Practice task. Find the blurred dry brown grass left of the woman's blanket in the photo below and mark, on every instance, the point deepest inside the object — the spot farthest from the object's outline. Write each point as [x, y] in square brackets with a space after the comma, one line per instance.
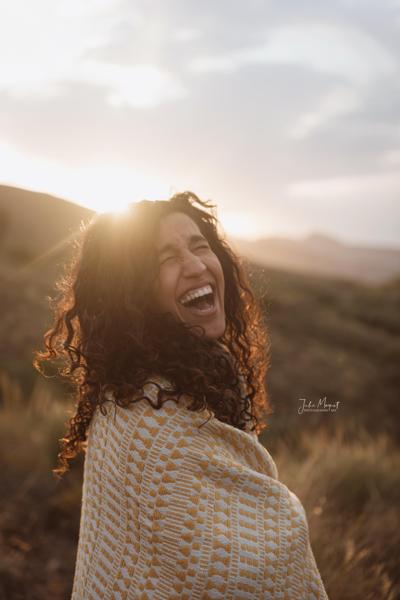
[39, 516]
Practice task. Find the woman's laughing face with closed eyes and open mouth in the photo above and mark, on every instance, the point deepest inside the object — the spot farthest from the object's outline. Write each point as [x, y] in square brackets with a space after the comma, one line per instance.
[187, 269]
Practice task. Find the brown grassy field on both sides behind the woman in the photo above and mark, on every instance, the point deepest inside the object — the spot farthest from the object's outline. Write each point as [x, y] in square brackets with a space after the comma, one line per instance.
[330, 338]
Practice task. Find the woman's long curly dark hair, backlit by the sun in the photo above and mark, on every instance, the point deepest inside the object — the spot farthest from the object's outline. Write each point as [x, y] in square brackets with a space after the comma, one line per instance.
[111, 337]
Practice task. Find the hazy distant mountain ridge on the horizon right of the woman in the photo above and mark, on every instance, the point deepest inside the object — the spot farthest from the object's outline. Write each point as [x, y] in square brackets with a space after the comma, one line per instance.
[323, 255]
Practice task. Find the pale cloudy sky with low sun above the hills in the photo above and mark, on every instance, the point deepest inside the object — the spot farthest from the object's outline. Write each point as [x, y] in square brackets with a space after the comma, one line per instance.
[284, 114]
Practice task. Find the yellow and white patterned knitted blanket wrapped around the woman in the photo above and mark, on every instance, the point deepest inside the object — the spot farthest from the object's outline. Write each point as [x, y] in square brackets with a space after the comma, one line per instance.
[171, 511]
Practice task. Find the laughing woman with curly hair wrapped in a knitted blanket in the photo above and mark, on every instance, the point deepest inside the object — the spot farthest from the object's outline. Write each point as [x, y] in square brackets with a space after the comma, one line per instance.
[168, 354]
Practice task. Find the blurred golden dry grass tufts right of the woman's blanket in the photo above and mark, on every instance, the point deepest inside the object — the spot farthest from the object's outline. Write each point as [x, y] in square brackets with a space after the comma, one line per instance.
[351, 493]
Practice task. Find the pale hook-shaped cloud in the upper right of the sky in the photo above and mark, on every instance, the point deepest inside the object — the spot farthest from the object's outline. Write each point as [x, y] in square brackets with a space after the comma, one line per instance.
[352, 58]
